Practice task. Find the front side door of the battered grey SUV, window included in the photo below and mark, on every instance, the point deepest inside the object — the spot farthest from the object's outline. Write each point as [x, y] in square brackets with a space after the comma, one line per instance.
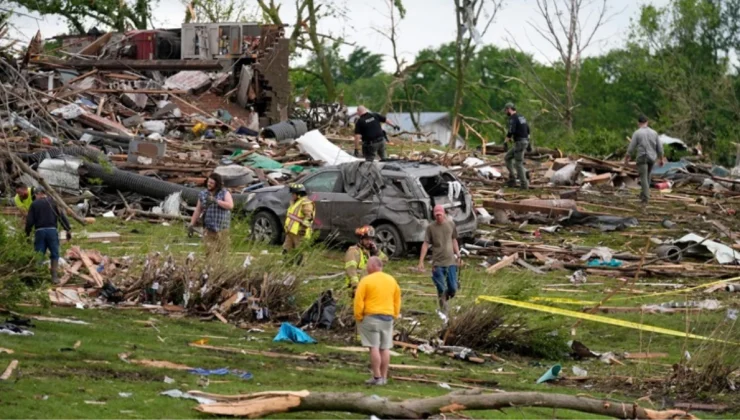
[322, 190]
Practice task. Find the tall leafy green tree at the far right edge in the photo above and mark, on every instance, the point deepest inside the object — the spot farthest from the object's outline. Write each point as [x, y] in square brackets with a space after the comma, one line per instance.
[690, 44]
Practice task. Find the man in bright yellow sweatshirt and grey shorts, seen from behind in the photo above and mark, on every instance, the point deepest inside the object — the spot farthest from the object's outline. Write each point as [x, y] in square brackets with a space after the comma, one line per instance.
[377, 304]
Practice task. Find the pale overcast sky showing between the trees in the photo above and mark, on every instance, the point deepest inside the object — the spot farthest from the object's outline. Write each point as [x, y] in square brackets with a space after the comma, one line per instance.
[428, 23]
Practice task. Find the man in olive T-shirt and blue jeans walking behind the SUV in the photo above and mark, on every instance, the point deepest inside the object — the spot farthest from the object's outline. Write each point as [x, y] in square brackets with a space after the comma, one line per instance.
[441, 235]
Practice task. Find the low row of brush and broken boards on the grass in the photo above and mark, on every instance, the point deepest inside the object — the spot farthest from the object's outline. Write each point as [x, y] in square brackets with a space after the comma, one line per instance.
[174, 284]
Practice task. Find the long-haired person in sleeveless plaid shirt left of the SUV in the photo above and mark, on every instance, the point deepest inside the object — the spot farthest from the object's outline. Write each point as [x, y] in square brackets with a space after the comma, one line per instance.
[214, 204]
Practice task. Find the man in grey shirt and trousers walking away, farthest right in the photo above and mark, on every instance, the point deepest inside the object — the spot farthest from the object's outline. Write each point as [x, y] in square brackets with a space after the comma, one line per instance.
[647, 145]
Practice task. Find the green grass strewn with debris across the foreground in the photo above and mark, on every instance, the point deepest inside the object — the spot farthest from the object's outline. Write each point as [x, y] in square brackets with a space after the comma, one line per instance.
[55, 379]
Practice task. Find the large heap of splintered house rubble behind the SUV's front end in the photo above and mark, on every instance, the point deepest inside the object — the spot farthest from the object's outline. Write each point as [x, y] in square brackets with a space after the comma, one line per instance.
[112, 137]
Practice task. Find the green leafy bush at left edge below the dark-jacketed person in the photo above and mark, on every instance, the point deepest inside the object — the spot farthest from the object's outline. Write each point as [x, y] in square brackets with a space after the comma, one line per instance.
[20, 273]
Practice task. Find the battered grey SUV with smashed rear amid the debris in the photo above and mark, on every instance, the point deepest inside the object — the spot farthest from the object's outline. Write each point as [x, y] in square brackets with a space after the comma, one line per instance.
[396, 197]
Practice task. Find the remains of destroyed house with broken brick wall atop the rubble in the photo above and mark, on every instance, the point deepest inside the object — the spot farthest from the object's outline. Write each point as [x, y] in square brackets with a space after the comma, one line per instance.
[247, 62]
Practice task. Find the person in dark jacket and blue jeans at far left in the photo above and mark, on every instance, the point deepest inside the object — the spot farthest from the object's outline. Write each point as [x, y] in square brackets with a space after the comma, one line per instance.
[44, 216]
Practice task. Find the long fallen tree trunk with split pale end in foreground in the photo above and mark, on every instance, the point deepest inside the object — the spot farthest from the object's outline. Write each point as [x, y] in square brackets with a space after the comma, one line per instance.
[260, 405]
